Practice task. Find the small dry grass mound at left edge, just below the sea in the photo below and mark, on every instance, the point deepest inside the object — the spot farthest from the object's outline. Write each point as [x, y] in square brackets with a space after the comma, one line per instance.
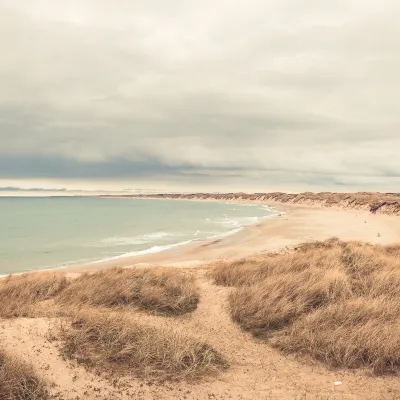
[20, 294]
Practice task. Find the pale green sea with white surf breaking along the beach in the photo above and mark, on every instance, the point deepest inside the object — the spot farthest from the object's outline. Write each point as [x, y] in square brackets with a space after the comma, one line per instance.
[40, 233]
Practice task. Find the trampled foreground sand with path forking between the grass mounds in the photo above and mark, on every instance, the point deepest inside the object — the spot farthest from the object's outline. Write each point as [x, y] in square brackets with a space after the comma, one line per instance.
[256, 371]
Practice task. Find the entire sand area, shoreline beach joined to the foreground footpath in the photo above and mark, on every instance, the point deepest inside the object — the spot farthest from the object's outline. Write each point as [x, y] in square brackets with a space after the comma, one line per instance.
[256, 370]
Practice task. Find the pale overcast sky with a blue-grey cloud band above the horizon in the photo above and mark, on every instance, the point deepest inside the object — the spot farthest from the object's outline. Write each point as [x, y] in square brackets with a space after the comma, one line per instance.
[238, 95]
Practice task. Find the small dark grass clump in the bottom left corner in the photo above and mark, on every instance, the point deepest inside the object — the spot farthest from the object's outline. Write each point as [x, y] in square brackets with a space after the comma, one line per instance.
[19, 381]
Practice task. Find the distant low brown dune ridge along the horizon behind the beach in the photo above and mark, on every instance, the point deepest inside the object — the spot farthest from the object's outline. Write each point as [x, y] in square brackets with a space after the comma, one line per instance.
[382, 203]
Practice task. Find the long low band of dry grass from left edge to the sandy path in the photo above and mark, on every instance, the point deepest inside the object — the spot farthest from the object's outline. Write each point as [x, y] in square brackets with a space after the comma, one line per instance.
[159, 290]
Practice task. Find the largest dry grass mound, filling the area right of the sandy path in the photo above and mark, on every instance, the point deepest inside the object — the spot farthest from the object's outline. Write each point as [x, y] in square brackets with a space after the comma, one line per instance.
[334, 301]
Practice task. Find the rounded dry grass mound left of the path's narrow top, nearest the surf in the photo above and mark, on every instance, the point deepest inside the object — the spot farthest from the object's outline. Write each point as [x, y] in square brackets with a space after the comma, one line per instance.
[161, 290]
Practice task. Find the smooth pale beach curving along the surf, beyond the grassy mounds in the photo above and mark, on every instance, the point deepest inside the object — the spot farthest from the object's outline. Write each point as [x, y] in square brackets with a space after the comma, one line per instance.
[297, 224]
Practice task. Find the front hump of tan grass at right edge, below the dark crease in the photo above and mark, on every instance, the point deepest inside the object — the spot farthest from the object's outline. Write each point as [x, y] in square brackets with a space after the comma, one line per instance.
[351, 334]
